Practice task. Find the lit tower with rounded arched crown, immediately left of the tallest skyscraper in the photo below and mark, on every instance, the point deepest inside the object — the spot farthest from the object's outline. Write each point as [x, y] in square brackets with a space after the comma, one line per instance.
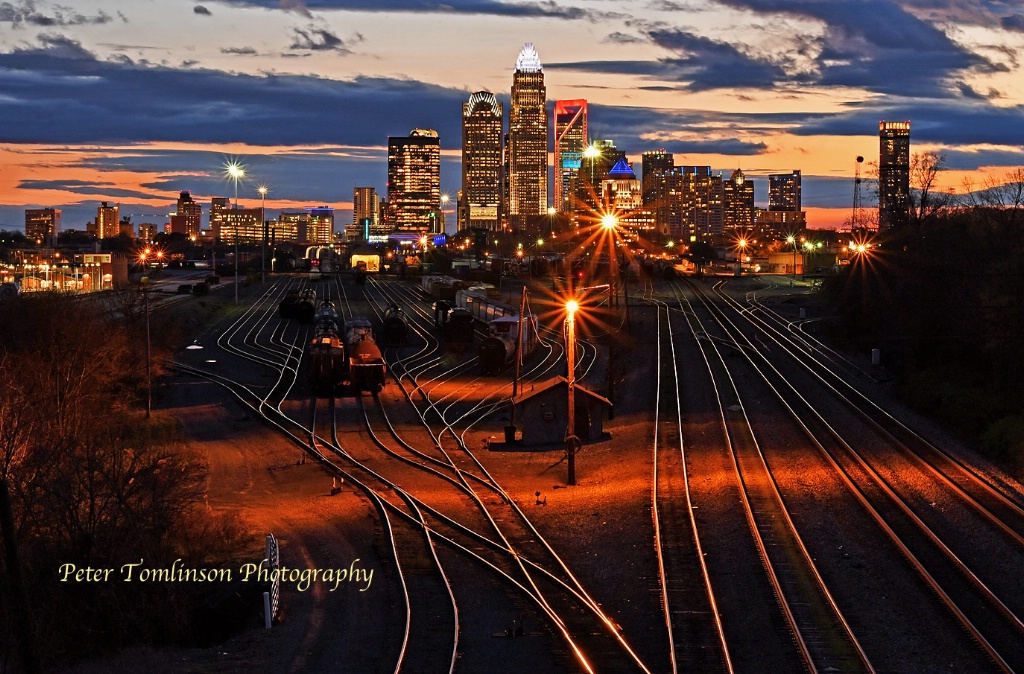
[481, 203]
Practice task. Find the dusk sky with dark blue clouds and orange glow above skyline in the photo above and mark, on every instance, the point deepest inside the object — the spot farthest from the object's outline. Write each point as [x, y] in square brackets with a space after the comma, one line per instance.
[135, 101]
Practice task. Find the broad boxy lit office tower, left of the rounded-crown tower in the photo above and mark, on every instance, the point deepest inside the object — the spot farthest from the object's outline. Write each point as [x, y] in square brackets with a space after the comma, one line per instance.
[414, 183]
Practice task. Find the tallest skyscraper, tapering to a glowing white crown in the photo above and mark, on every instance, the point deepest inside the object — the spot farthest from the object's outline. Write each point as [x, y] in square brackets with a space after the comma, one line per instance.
[528, 145]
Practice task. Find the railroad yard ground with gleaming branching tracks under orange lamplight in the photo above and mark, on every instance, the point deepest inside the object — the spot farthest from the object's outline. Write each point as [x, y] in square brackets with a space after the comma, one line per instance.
[757, 502]
